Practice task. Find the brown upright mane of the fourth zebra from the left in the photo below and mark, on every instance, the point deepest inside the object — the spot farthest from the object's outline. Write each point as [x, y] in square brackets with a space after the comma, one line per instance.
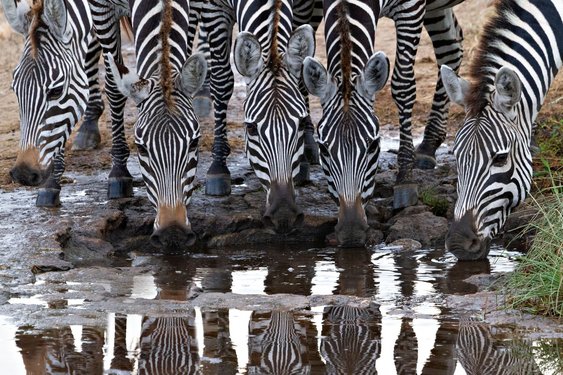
[345, 51]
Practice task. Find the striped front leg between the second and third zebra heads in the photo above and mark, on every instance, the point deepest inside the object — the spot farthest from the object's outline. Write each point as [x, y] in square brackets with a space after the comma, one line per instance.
[219, 24]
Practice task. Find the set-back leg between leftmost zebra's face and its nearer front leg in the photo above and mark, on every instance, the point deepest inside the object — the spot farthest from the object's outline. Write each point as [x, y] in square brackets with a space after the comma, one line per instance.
[88, 135]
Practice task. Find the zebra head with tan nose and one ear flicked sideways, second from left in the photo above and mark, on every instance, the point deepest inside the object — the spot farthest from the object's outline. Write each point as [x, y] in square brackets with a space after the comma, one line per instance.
[167, 134]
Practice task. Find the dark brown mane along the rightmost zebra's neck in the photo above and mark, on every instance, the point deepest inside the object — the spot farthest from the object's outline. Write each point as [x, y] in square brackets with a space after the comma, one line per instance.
[480, 69]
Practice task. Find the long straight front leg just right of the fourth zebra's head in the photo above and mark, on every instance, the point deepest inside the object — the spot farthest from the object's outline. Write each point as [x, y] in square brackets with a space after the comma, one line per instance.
[408, 23]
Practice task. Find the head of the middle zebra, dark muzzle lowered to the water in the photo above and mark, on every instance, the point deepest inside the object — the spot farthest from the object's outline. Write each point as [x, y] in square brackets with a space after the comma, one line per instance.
[274, 110]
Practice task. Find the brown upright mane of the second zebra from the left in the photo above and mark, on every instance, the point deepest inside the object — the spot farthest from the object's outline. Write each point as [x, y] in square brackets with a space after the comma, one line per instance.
[166, 82]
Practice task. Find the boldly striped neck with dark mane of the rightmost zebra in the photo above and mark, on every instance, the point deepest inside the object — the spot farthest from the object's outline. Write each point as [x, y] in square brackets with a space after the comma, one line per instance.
[527, 37]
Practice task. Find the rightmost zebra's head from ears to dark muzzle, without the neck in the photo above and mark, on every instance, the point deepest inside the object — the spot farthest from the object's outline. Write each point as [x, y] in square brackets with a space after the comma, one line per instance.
[494, 163]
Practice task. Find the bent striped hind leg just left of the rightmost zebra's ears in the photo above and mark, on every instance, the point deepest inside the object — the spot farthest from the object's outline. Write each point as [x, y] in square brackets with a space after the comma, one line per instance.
[446, 35]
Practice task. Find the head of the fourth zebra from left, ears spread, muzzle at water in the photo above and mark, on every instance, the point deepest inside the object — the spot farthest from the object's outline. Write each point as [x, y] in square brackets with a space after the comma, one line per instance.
[349, 140]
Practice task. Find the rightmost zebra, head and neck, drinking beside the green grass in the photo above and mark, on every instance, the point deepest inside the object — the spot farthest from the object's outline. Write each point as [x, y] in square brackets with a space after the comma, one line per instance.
[519, 54]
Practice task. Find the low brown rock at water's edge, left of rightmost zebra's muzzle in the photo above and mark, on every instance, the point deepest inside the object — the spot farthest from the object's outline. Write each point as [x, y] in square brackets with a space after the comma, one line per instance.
[424, 227]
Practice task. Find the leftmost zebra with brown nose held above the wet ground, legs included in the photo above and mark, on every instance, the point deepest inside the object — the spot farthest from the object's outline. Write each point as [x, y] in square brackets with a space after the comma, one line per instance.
[56, 82]
